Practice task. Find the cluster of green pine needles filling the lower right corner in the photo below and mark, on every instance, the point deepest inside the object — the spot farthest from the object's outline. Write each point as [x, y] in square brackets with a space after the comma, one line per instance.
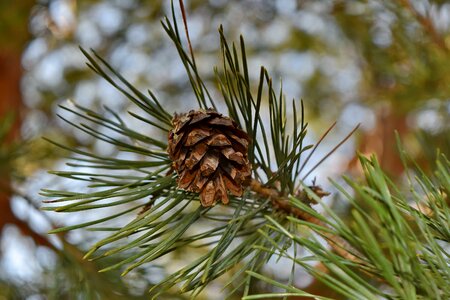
[402, 247]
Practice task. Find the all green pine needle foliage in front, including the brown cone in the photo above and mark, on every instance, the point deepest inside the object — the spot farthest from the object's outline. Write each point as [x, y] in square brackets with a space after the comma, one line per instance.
[257, 167]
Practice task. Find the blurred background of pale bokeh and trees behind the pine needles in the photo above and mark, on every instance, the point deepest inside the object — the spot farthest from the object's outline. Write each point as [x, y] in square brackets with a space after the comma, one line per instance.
[384, 64]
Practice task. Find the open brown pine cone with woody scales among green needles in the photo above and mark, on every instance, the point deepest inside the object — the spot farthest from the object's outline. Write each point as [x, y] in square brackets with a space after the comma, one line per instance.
[209, 153]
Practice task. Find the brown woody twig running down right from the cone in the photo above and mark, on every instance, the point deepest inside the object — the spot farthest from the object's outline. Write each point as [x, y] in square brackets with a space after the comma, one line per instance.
[339, 245]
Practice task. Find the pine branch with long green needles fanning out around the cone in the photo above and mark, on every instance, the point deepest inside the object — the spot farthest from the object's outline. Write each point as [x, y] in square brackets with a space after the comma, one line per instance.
[167, 218]
